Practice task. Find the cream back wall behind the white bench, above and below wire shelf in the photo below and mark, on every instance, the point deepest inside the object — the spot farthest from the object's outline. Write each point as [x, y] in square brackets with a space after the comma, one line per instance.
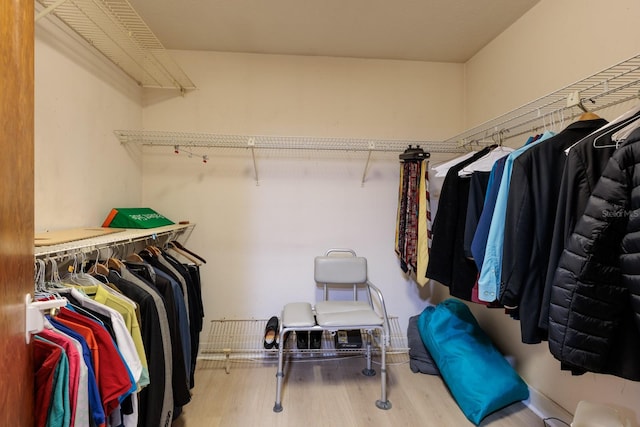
[260, 240]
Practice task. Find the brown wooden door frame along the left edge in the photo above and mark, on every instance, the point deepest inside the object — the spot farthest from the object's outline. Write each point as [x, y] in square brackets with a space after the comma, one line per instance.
[16, 208]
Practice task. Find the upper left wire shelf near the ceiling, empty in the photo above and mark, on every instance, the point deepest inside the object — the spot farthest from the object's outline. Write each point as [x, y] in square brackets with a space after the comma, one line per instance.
[116, 30]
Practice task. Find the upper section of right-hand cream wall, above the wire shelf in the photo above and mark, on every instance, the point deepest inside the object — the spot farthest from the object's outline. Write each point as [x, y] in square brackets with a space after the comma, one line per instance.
[553, 45]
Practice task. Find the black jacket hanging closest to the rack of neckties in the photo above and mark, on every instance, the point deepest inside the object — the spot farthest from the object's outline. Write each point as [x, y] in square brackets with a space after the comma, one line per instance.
[447, 261]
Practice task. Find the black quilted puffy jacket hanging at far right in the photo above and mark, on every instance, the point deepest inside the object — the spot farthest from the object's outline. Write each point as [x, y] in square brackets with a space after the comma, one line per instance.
[594, 314]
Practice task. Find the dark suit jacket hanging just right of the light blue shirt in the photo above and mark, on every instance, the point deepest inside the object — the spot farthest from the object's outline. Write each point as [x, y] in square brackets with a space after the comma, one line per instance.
[528, 226]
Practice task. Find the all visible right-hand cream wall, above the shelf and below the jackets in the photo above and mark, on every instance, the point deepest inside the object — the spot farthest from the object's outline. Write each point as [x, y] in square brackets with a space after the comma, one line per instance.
[555, 44]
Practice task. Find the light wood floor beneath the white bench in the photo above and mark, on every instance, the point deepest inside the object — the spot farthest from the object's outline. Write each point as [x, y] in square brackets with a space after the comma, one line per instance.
[328, 393]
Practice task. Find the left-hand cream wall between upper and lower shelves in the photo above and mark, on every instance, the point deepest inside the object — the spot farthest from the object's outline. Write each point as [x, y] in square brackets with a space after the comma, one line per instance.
[81, 170]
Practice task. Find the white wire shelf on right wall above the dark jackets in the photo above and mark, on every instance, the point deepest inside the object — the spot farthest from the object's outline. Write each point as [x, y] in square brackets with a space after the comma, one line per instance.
[609, 87]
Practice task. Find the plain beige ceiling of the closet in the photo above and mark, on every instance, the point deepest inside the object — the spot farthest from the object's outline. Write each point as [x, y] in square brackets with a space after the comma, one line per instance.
[424, 30]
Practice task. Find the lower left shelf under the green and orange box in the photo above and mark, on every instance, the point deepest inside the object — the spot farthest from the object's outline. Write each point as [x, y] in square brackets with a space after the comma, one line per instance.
[127, 236]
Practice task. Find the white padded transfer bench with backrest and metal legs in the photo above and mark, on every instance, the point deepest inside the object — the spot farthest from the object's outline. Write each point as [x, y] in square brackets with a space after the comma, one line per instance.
[336, 269]
